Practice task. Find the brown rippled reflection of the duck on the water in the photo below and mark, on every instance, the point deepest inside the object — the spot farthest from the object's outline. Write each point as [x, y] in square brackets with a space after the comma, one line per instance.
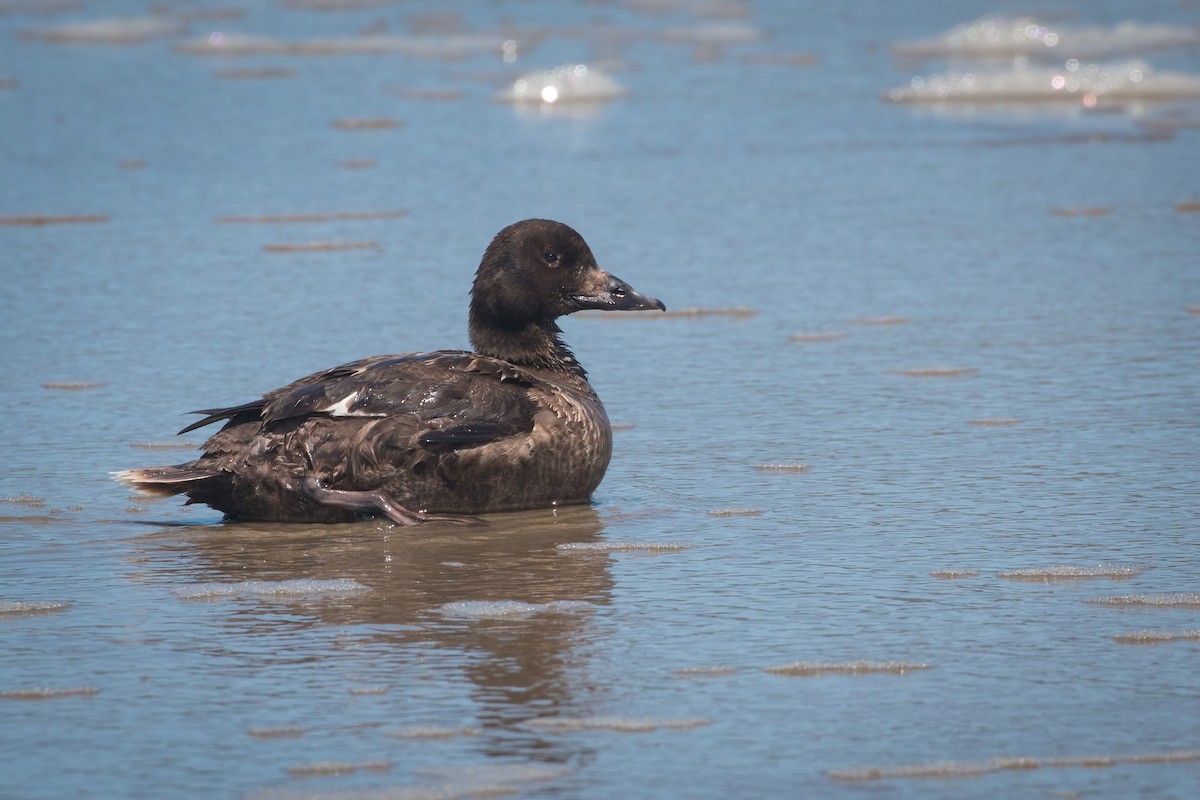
[518, 669]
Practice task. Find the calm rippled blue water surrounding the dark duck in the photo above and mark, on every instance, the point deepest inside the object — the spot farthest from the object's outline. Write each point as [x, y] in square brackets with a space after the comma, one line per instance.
[1036, 252]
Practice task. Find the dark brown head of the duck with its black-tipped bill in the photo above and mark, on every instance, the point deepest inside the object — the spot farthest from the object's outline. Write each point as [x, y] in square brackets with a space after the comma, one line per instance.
[538, 270]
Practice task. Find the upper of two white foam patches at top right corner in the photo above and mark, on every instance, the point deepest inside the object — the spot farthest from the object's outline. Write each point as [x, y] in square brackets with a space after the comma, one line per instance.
[991, 38]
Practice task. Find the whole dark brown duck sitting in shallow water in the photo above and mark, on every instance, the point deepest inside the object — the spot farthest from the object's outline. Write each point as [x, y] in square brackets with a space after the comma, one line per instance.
[423, 437]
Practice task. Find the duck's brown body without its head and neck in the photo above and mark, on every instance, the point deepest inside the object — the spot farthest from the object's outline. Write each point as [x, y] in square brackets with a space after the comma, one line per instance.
[439, 432]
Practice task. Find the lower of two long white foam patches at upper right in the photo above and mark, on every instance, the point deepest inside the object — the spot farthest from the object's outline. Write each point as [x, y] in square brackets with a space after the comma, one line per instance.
[1075, 82]
